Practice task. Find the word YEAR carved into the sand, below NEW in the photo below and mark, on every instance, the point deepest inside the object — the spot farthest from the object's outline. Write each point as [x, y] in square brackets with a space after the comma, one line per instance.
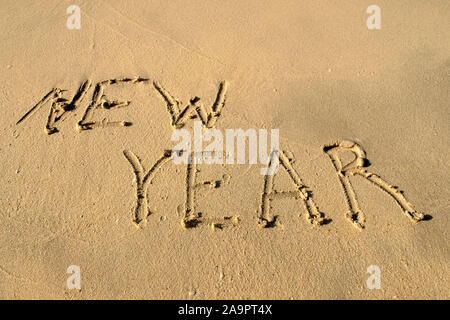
[192, 218]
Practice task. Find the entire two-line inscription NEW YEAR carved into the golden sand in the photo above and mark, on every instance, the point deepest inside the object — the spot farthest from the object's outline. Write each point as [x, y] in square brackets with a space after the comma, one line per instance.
[179, 115]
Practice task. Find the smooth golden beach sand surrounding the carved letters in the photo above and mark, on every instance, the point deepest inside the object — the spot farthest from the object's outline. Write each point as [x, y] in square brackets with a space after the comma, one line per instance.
[311, 69]
